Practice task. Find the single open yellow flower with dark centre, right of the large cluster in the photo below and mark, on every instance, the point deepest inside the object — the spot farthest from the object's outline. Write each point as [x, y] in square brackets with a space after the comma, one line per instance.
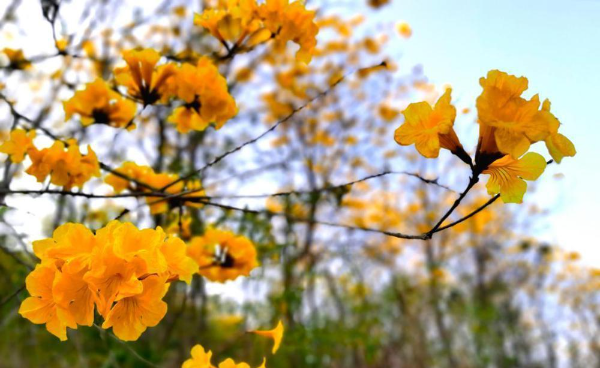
[222, 256]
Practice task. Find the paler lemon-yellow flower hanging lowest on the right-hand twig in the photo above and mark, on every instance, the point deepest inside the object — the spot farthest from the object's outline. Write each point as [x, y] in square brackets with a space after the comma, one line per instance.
[507, 176]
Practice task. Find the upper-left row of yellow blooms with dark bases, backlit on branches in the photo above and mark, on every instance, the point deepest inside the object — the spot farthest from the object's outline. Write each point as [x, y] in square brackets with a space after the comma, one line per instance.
[201, 88]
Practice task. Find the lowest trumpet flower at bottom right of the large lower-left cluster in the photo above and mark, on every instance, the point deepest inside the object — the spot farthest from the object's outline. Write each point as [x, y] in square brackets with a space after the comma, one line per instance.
[130, 316]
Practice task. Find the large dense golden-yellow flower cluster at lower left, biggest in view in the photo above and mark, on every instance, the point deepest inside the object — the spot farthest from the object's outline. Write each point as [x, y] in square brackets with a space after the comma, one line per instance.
[121, 271]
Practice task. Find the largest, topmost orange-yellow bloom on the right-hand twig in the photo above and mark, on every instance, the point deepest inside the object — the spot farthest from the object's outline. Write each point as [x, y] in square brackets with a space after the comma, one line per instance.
[509, 123]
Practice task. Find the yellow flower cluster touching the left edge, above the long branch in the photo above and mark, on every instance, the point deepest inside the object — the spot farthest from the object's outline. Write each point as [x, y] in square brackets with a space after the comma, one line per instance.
[66, 166]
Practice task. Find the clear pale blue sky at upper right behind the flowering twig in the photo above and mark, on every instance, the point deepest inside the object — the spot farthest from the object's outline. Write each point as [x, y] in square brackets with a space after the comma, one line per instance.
[556, 45]
